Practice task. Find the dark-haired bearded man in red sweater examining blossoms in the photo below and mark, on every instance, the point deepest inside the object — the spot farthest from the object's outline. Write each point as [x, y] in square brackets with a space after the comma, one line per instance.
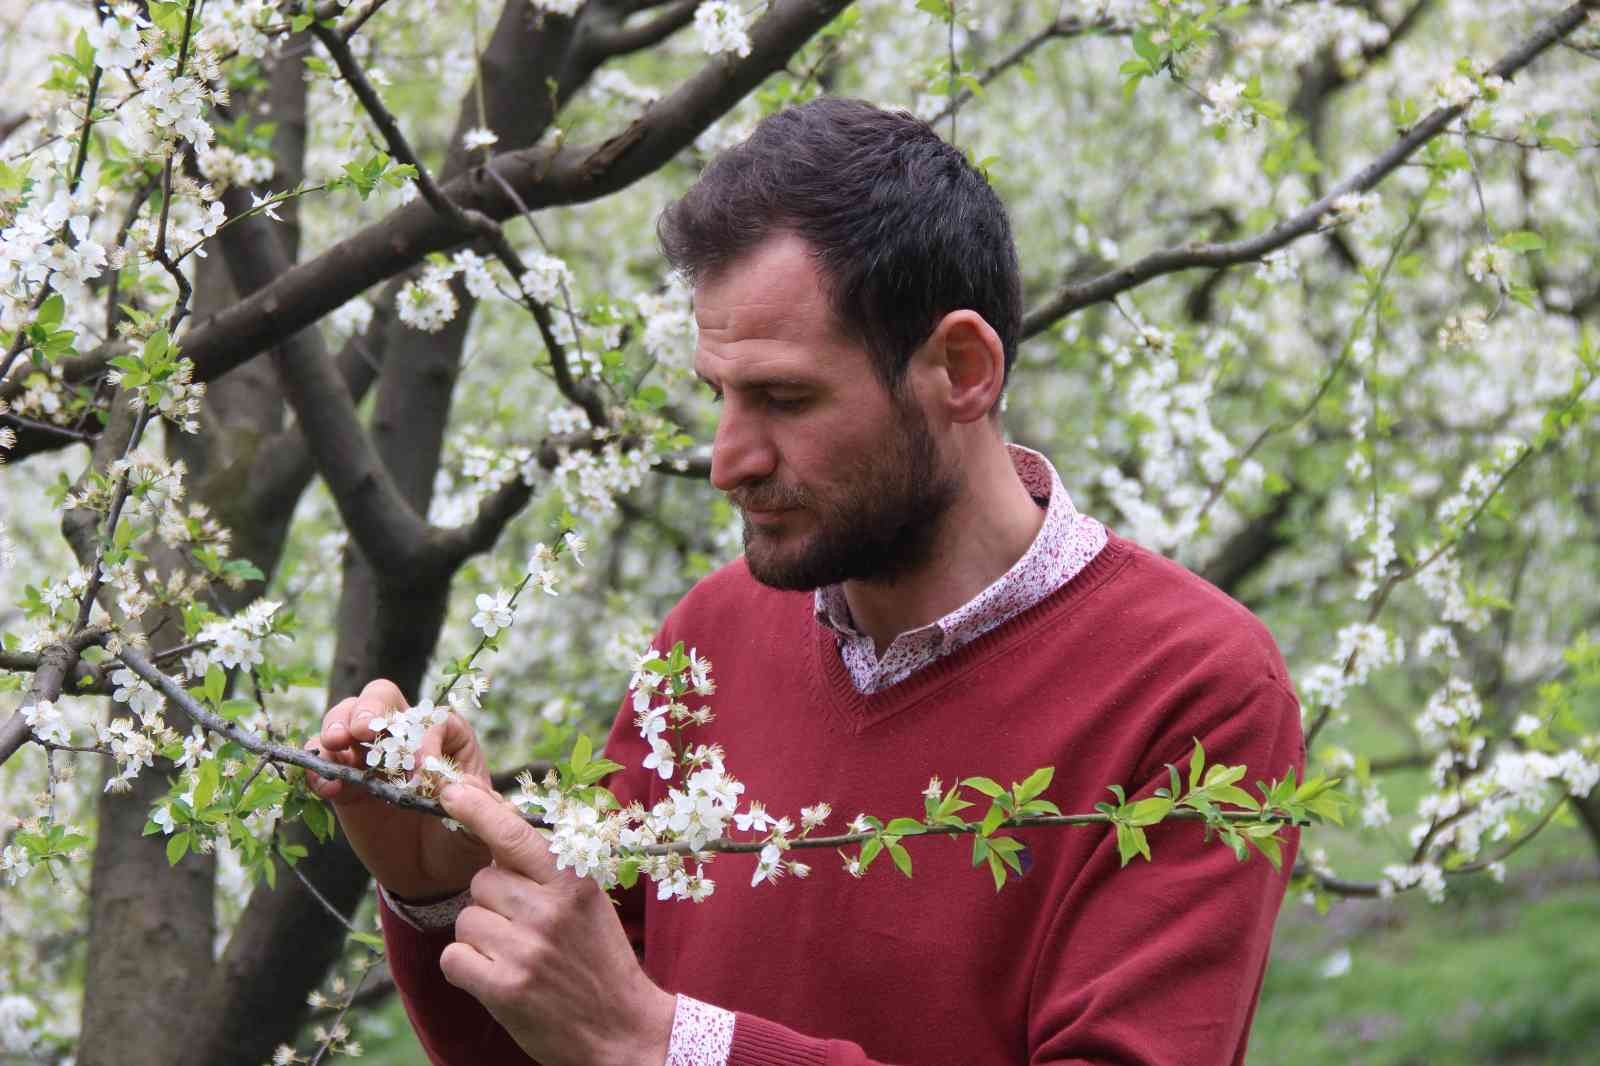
[916, 599]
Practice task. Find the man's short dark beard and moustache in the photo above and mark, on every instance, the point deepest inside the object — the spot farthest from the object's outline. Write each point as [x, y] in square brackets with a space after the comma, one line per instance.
[878, 527]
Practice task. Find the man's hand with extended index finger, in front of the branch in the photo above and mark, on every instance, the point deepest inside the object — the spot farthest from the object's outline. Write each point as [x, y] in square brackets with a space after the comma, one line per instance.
[545, 953]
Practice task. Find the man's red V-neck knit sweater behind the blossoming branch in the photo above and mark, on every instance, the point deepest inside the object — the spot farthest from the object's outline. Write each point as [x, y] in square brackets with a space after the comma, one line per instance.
[1108, 679]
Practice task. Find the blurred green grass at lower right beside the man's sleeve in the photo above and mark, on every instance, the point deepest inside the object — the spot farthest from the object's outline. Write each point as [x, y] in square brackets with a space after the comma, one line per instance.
[1492, 976]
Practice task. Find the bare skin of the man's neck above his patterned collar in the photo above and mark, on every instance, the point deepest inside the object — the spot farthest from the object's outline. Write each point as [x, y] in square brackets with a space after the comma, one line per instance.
[986, 531]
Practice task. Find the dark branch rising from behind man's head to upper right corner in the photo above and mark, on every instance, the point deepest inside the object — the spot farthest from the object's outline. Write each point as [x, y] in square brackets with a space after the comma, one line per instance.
[1079, 295]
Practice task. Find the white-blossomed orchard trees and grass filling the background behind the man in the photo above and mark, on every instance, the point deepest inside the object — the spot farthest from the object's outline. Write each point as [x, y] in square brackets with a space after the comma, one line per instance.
[1311, 308]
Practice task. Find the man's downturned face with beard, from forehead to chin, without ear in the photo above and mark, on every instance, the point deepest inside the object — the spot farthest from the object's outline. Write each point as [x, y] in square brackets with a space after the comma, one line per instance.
[838, 478]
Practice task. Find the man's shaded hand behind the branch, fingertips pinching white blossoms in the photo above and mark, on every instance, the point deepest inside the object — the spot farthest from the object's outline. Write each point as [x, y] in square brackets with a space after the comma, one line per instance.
[412, 856]
